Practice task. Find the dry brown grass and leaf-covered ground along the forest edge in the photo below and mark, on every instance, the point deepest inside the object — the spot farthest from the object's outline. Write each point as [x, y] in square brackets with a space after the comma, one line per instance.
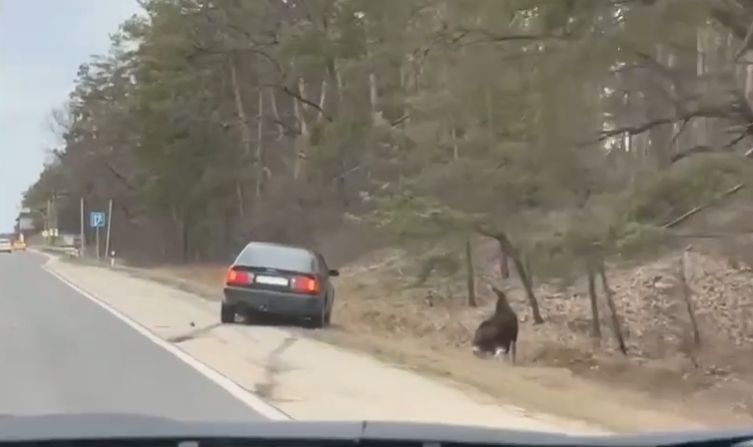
[665, 382]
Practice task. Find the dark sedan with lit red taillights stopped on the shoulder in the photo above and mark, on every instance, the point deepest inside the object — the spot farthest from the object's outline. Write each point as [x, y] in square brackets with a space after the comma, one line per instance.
[281, 280]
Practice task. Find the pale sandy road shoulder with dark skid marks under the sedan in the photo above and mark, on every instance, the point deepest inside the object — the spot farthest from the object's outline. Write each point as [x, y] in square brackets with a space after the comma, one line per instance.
[286, 367]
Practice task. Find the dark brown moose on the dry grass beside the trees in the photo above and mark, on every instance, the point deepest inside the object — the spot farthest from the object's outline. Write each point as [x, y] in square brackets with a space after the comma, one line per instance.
[499, 333]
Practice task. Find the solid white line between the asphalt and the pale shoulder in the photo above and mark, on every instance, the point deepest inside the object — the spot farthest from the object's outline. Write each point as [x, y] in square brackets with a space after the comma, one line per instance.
[237, 391]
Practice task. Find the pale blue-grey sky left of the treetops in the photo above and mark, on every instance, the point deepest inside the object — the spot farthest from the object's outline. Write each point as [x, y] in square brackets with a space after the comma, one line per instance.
[42, 43]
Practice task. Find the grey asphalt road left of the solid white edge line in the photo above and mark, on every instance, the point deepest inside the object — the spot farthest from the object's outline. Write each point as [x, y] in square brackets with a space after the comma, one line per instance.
[62, 353]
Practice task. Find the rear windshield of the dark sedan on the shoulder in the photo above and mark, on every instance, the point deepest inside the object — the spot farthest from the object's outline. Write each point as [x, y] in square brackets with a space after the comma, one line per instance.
[277, 257]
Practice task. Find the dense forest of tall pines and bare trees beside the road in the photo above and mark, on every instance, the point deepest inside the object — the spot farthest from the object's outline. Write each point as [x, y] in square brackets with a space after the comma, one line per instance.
[570, 132]
